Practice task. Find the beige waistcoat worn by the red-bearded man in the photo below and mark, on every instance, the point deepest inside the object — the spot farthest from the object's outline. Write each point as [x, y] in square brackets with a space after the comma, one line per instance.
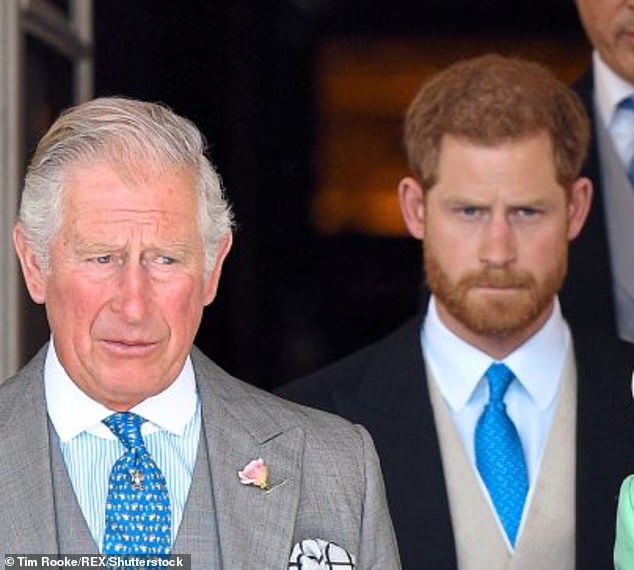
[547, 539]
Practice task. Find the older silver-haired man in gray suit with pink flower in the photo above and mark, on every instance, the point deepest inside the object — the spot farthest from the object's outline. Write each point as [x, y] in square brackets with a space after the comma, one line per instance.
[120, 437]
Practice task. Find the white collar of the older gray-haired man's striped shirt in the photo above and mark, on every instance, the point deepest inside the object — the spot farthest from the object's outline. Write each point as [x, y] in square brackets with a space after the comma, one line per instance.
[73, 412]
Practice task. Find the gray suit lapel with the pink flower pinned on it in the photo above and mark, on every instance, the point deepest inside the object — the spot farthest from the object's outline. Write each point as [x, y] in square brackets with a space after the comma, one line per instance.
[255, 528]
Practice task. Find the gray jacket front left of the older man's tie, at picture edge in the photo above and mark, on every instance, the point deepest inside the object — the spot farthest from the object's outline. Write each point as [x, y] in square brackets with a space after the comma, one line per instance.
[26, 501]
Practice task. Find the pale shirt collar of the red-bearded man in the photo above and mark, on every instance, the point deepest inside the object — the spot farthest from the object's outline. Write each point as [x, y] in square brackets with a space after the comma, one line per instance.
[537, 363]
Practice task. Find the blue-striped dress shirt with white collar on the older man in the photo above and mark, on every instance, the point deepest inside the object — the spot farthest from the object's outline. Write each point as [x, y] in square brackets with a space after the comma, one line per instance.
[90, 449]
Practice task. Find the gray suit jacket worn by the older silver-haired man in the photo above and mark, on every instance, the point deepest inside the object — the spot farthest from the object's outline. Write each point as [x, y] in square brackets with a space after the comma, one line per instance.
[331, 485]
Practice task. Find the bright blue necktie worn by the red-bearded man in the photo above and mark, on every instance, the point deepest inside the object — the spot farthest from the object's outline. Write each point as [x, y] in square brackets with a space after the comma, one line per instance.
[499, 454]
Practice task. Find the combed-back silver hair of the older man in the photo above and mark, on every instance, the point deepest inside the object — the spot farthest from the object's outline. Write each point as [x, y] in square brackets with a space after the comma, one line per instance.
[121, 132]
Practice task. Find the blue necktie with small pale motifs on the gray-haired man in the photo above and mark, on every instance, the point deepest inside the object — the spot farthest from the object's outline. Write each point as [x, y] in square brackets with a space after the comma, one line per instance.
[138, 513]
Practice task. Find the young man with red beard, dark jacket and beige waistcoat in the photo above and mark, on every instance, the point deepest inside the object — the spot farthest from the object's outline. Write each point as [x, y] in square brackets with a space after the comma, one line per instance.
[503, 435]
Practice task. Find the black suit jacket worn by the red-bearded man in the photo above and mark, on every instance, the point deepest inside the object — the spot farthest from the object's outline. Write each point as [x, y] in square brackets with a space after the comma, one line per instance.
[384, 388]
